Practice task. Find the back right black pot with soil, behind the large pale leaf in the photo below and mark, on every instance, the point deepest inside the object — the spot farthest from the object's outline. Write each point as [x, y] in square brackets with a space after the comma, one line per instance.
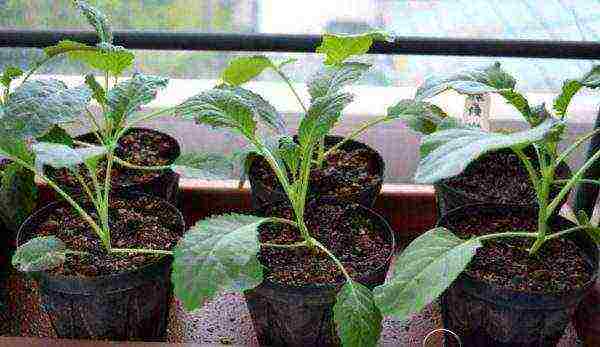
[497, 177]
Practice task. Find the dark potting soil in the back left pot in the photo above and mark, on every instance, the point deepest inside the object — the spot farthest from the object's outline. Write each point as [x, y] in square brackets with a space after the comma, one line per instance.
[140, 147]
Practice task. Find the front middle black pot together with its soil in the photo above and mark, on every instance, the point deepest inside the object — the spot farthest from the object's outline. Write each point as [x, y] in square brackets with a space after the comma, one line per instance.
[293, 306]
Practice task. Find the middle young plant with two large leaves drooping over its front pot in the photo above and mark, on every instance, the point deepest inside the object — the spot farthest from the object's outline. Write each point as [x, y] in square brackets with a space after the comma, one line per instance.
[220, 254]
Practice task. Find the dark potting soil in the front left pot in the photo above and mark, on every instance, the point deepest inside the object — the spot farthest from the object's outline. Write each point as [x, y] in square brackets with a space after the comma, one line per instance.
[142, 222]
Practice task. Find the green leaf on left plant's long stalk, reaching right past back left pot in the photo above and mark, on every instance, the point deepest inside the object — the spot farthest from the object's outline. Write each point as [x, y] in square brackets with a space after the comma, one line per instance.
[206, 166]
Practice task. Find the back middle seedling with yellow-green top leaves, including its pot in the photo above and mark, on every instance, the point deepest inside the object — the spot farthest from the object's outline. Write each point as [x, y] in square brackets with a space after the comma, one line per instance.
[343, 168]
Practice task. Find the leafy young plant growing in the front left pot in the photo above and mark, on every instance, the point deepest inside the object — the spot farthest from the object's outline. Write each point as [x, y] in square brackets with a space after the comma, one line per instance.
[31, 137]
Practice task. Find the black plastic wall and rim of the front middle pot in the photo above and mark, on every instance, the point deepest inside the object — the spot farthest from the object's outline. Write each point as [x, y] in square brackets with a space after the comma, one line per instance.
[302, 316]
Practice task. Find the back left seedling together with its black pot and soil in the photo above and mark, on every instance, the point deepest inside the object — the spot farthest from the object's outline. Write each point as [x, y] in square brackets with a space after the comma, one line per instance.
[143, 155]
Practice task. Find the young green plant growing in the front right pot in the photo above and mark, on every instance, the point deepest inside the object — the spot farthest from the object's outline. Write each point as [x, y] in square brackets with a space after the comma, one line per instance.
[434, 260]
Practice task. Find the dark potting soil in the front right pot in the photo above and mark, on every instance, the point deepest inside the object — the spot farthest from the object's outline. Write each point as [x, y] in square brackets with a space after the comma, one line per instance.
[560, 265]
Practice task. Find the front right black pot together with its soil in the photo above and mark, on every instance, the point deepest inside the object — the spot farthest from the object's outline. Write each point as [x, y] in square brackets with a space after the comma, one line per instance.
[506, 297]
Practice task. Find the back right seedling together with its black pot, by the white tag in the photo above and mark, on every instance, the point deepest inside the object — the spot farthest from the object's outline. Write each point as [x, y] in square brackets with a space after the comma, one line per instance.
[497, 176]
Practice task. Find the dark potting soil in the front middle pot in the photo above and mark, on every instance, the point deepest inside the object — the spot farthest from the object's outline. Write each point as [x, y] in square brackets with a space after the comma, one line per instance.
[354, 239]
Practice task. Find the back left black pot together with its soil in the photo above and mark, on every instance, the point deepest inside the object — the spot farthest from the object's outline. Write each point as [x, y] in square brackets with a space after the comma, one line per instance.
[139, 146]
